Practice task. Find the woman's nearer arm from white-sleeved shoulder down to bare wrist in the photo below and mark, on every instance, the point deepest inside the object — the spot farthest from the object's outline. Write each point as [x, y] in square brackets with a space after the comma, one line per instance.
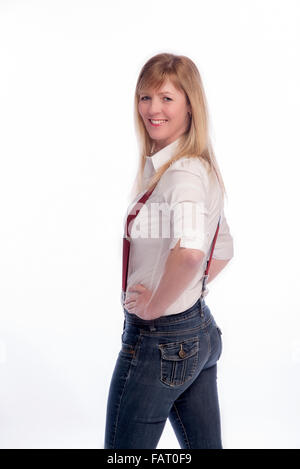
[185, 192]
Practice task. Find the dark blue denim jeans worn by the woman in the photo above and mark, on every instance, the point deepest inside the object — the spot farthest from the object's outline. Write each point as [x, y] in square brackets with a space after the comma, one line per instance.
[166, 368]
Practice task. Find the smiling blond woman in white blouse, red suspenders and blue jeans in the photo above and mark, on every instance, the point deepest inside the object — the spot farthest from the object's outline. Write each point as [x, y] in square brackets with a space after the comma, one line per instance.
[167, 365]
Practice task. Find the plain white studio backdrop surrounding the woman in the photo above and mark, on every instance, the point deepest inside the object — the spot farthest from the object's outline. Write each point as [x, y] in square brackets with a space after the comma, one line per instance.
[68, 158]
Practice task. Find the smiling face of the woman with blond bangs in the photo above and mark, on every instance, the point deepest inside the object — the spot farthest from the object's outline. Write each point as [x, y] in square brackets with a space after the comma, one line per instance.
[169, 110]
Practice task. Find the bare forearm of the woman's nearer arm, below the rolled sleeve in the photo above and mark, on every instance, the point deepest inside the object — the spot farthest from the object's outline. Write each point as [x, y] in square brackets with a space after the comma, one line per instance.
[180, 269]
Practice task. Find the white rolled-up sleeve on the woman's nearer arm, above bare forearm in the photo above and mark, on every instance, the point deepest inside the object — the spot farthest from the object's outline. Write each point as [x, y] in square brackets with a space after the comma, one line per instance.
[186, 196]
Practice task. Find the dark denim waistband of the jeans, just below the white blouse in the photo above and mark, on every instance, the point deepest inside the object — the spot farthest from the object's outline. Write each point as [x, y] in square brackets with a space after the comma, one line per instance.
[166, 320]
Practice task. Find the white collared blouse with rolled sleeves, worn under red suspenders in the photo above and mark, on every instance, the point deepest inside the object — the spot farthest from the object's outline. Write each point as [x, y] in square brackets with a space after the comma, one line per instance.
[186, 203]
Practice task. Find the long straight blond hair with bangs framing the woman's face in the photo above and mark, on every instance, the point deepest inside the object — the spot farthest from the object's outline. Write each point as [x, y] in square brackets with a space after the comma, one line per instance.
[195, 142]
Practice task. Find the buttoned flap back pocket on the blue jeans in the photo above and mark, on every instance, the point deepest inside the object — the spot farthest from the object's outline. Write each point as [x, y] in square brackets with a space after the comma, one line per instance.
[179, 361]
